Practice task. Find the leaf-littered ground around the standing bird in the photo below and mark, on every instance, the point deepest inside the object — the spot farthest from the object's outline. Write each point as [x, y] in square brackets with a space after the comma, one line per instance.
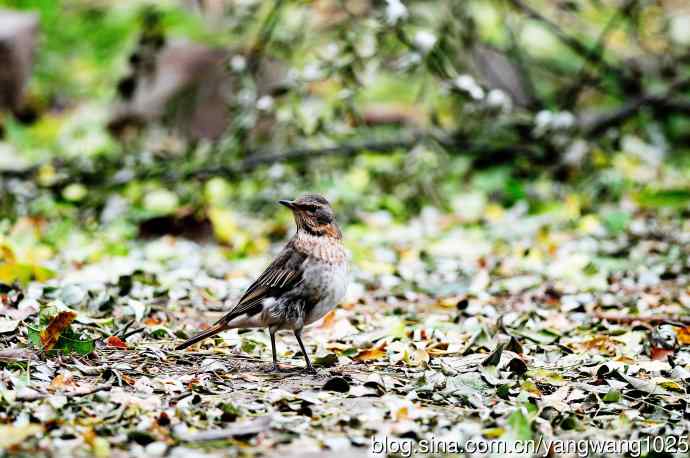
[511, 328]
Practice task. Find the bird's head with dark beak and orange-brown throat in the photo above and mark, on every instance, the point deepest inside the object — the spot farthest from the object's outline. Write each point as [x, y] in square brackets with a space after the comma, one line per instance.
[314, 215]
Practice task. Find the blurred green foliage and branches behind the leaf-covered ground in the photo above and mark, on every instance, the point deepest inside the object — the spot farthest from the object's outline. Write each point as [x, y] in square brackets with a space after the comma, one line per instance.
[181, 116]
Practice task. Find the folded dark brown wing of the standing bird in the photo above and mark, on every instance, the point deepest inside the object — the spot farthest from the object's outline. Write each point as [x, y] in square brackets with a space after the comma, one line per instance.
[283, 274]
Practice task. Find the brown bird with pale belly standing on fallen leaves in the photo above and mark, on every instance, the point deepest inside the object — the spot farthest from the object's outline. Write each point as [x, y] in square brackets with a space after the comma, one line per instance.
[306, 280]
